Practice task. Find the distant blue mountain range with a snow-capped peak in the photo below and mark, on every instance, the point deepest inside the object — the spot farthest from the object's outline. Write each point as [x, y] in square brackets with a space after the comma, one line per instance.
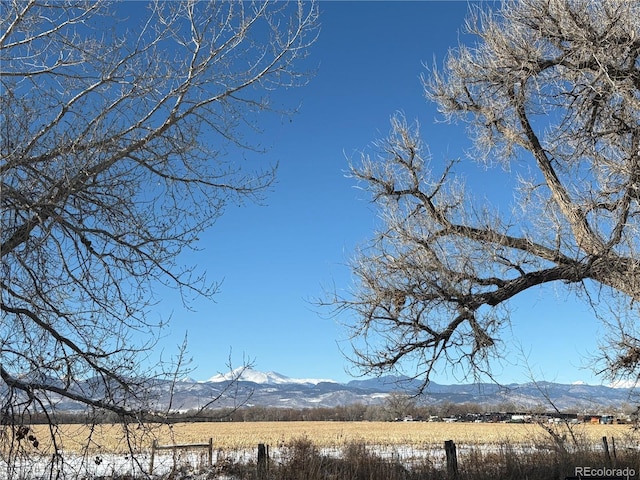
[270, 389]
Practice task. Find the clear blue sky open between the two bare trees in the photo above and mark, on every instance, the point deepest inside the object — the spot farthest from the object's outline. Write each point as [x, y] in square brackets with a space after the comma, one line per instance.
[274, 259]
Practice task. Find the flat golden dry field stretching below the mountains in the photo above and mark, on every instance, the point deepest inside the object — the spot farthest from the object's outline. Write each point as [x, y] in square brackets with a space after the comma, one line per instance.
[246, 435]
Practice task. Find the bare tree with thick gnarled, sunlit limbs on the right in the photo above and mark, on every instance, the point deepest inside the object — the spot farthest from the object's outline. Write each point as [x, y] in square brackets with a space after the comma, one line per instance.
[551, 92]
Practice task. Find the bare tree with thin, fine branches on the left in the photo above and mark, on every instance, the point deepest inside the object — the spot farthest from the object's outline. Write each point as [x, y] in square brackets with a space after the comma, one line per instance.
[117, 124]
